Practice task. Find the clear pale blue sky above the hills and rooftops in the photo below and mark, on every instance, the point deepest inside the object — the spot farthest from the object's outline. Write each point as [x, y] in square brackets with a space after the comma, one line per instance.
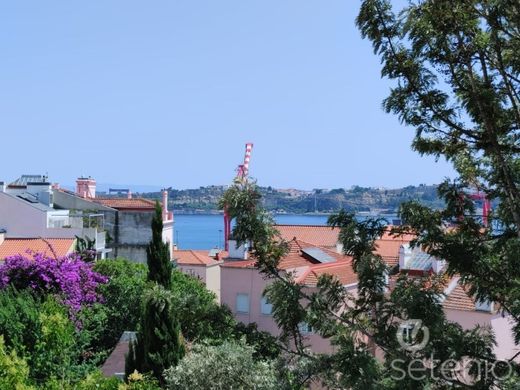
[167, 93]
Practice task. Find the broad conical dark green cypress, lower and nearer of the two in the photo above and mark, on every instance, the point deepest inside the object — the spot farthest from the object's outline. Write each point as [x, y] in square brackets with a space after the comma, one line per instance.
[159, 343]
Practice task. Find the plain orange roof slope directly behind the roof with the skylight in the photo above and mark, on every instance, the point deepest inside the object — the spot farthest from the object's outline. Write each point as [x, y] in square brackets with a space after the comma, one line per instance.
[324, 236]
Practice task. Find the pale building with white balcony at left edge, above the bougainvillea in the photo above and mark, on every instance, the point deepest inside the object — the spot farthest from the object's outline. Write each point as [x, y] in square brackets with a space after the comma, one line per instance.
[28, 210]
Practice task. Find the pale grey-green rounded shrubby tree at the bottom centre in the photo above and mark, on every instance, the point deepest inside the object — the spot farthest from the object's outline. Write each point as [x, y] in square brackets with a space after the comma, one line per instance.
[227, 366]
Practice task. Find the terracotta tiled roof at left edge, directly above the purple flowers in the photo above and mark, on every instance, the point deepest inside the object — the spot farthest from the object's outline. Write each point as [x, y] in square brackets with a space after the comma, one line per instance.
[15, 246]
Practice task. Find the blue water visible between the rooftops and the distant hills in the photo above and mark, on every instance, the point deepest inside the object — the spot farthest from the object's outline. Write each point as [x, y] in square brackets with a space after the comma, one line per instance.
[207, 231]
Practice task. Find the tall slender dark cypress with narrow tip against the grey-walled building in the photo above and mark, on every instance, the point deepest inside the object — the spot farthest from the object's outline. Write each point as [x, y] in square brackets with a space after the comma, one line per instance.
[158, 253]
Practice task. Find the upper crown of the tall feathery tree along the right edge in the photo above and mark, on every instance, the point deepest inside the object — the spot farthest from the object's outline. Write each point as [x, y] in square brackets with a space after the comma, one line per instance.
[457, 70]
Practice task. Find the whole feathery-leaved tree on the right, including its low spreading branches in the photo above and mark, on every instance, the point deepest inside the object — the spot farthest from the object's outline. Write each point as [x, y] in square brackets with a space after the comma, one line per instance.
[458, 78]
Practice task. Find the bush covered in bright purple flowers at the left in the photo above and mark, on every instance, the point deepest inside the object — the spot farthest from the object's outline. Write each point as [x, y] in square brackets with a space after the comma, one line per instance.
[68, 277]
